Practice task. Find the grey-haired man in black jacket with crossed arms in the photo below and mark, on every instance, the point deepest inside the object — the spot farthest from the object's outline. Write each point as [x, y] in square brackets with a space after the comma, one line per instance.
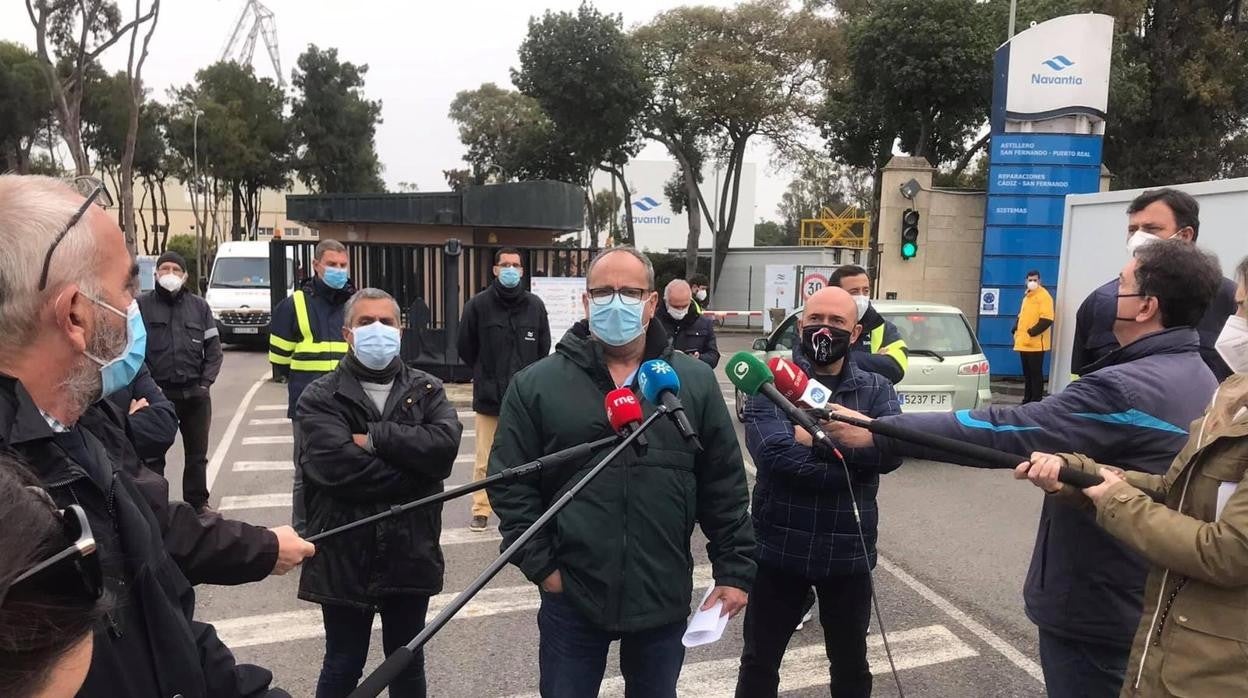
[376, 434]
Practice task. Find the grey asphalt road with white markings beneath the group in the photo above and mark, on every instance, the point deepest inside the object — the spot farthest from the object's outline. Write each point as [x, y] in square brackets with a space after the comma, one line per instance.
[954, 543]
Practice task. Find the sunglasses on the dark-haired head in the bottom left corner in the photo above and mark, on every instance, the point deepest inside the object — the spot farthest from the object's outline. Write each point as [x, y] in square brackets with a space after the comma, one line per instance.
[76, 571]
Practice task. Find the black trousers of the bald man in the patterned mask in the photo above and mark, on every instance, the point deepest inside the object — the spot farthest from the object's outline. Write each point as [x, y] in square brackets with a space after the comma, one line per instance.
[777, 605]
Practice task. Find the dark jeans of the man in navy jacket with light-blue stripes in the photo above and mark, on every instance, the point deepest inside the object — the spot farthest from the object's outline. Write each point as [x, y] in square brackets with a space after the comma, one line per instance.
[1081, 670]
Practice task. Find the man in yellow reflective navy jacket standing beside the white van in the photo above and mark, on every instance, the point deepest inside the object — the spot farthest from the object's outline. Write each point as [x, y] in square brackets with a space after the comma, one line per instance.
[305, 340]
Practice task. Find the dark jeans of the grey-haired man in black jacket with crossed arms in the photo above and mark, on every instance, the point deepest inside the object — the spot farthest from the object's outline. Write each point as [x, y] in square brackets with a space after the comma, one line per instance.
[348, 632]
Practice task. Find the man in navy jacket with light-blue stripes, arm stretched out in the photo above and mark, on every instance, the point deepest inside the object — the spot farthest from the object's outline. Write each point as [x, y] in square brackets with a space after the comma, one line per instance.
[1133, 408]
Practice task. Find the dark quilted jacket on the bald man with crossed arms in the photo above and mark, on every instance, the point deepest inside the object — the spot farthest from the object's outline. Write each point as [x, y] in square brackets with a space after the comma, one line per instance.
[803, 509]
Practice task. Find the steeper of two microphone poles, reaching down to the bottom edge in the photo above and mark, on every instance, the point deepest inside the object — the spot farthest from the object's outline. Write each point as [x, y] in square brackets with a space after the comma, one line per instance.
[395, 665]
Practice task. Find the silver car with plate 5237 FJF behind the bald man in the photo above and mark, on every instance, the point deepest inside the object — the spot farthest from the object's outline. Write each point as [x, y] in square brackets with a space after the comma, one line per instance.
[948, 369]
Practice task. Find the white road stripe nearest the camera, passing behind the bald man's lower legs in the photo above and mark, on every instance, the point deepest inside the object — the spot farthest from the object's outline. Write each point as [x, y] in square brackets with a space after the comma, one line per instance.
[807, 667]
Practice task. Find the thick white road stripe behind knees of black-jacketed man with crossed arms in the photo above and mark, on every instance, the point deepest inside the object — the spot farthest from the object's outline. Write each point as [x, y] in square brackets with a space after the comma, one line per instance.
[270, 629]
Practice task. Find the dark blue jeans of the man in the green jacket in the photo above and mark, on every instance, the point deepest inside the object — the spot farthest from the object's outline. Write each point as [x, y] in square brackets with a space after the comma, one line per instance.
[573, 655]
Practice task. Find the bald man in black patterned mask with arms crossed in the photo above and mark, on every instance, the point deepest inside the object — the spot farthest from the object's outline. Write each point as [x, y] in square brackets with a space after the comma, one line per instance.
[804, 513]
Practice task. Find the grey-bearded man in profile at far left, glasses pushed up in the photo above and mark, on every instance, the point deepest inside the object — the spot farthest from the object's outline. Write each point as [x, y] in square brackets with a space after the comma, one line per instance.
[64, 343]
